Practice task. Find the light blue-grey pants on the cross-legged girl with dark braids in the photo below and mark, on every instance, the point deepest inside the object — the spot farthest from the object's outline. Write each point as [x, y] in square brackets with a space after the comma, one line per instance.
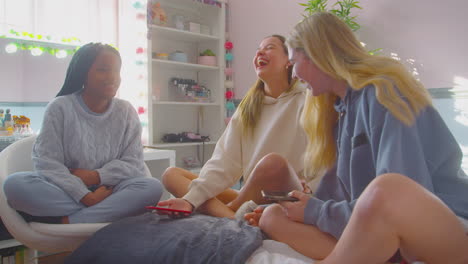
[35, 195]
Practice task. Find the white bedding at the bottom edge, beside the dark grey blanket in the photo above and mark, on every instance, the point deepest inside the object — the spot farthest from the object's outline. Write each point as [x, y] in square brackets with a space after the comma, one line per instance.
[273, 252]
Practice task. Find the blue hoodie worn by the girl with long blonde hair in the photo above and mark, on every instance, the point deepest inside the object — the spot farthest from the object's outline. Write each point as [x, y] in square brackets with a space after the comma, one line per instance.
[372, 142]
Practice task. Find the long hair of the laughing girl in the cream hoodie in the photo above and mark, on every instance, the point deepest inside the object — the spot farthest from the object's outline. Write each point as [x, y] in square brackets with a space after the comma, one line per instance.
[250, 108]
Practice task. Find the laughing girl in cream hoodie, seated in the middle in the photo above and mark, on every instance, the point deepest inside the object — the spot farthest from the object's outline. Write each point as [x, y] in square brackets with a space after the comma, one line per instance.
[267, 120]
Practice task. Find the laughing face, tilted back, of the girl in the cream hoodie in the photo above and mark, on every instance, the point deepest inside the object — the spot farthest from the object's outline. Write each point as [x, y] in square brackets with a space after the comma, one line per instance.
[271, 60]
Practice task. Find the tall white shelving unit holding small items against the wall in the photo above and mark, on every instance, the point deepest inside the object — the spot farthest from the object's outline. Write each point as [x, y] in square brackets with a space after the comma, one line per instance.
[169, 113]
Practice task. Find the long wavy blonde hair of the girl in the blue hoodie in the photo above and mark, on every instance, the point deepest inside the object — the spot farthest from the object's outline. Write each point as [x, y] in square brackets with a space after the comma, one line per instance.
[333, 48]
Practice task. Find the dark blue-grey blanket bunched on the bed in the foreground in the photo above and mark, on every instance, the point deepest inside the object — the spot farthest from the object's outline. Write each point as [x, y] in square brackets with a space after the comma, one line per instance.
[151, 238]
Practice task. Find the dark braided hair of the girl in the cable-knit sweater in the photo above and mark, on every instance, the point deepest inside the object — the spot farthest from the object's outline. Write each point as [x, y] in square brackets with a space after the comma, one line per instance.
[79, 66]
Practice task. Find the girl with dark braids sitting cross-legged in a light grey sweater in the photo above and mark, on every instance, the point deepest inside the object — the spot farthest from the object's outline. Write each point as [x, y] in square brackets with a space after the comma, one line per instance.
[88, 157]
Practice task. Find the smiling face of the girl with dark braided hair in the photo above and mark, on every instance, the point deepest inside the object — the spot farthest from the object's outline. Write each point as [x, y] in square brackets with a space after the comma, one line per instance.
[103, 78]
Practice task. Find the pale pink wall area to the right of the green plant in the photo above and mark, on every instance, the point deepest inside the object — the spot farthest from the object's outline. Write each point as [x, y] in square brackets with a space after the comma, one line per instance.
[431, 32]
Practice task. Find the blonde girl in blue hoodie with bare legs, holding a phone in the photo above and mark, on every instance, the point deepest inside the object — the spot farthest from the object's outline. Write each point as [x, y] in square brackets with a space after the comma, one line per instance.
[390, 170]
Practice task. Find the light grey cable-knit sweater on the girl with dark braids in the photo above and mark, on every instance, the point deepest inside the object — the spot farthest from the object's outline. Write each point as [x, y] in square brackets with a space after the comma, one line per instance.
[72, 136]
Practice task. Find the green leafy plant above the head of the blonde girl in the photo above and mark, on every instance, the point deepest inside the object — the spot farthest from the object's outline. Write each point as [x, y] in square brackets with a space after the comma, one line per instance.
[342, 9]
